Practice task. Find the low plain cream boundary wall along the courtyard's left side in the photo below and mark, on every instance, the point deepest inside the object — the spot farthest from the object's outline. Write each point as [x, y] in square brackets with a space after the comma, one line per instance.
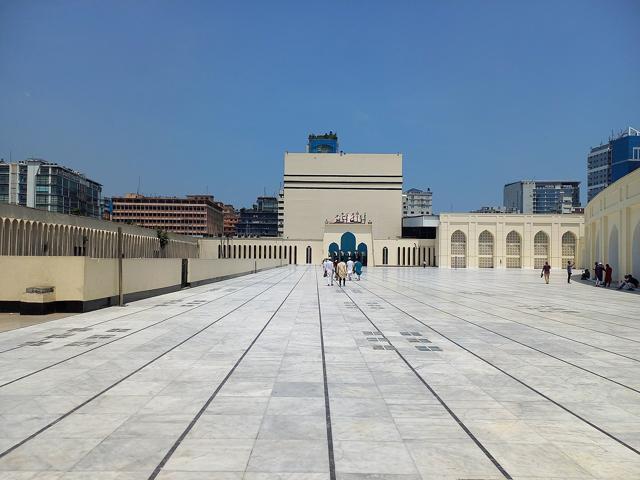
[83, 284]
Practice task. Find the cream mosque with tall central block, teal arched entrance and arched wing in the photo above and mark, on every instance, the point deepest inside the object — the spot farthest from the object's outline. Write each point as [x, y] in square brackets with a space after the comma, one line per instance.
[345, 205]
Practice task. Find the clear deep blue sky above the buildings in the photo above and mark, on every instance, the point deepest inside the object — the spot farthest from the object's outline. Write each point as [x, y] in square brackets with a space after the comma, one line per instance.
[194, 95]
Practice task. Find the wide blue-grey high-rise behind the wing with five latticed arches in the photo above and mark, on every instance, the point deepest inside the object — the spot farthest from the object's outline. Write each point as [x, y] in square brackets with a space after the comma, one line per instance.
[528, 196]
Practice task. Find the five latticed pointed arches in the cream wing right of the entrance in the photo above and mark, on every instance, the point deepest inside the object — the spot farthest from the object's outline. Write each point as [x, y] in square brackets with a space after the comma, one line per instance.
[513, 249]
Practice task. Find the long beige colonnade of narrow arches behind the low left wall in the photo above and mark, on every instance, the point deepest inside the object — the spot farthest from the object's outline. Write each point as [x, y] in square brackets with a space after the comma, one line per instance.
[33, 238]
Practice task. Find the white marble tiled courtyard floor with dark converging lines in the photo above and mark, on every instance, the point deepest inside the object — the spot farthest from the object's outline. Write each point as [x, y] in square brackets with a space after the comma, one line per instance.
[408, 374]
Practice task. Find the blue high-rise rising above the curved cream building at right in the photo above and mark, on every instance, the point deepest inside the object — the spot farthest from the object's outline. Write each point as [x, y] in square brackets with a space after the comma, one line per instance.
[611, 161]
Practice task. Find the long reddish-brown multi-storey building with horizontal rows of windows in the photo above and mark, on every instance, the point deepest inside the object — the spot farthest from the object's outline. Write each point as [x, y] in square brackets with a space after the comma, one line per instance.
[193, 215]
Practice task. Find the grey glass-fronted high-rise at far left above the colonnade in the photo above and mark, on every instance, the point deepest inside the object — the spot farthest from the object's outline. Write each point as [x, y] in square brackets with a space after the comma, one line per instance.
[37, 183]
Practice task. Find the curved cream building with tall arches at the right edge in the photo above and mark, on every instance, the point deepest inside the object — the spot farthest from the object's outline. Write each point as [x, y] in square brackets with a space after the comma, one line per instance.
[612, 227]
